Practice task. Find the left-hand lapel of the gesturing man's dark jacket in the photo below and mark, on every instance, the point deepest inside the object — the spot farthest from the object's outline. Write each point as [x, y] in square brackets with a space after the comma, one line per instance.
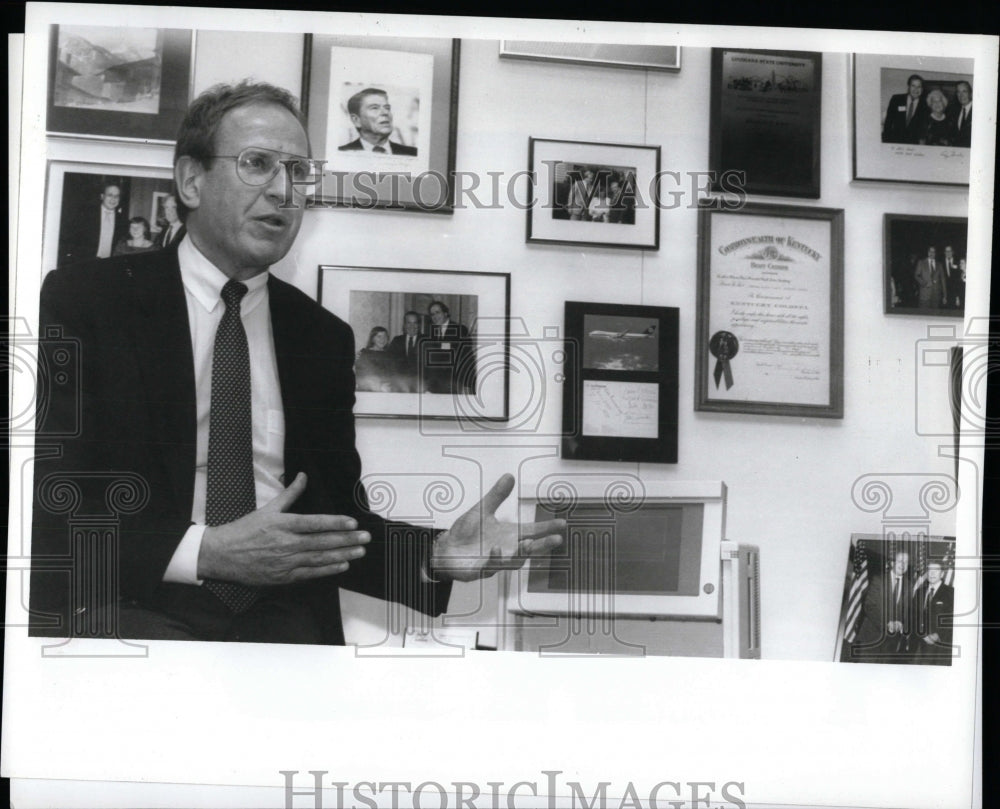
[158, 323]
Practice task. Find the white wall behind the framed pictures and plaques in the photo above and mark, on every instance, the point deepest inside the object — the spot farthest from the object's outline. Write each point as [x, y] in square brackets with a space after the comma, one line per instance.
[790, 479]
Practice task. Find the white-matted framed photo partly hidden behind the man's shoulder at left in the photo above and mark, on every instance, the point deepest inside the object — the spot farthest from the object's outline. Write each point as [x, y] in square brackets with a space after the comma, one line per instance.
[81, 196]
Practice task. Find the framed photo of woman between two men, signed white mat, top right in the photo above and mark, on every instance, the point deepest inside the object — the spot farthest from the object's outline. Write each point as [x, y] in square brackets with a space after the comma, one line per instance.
[912, 118]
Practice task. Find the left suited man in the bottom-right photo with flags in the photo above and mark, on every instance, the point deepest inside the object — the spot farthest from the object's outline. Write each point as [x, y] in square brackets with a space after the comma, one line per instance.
[886, 620]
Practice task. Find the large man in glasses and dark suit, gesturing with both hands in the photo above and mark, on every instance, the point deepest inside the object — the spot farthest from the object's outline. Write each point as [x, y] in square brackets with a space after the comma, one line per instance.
[236, 508]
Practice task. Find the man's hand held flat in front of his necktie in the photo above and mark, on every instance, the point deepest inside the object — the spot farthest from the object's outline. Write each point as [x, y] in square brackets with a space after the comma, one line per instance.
[268, 546]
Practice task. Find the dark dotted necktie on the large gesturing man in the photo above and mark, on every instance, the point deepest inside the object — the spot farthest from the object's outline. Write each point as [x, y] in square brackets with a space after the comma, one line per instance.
[231, 492]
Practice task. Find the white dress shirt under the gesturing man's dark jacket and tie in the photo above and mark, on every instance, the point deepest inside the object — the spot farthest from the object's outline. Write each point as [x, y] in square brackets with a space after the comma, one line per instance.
[203, 283]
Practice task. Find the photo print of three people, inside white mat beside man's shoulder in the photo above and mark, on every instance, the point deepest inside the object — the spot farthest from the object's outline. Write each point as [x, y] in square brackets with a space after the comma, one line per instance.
[415, 342]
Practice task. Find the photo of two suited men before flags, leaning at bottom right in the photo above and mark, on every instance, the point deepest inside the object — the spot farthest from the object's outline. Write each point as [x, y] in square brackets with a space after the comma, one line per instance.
[899, 600]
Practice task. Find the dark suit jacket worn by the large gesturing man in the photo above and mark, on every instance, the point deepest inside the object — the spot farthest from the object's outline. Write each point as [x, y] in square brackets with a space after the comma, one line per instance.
[129, 415]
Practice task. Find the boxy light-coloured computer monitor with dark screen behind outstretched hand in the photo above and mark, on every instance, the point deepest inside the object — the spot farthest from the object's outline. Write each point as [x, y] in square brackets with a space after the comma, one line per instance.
[654, 552]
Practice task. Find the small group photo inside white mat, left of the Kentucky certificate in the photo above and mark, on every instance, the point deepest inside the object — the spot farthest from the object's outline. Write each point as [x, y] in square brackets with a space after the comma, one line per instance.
[593, 193]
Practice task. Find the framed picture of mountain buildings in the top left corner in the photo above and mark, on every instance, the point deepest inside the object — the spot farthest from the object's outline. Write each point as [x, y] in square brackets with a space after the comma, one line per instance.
[119, 83]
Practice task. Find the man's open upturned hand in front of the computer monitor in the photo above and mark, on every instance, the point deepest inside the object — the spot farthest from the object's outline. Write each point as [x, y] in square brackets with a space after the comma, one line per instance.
[478, 545]
